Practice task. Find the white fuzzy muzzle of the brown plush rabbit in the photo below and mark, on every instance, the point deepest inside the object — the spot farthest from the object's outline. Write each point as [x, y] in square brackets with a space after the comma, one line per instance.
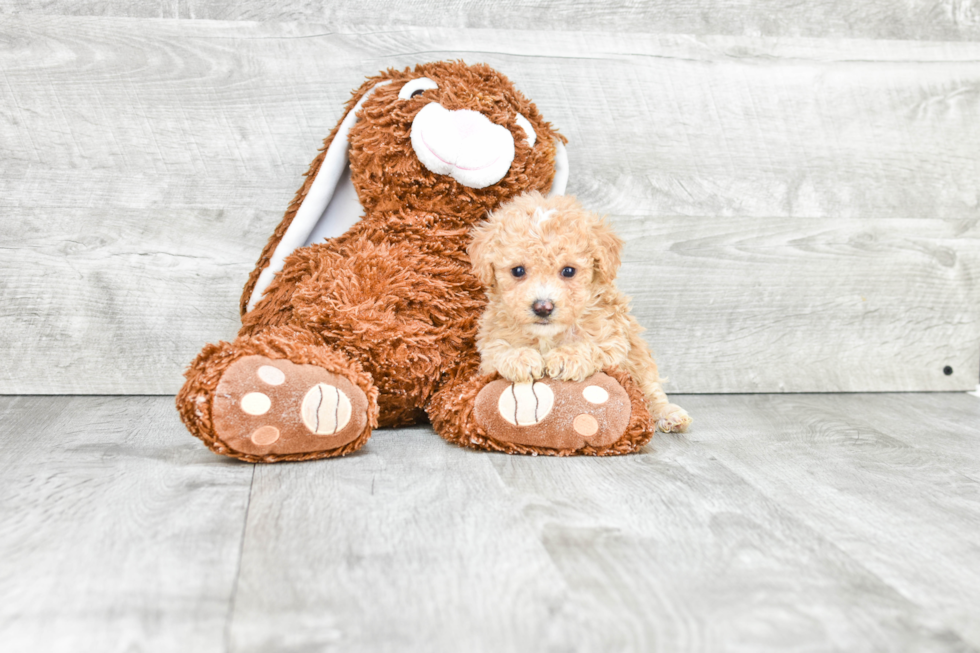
[463, 144]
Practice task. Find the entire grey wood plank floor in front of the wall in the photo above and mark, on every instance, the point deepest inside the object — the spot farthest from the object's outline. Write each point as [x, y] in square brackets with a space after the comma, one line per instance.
[781, 522]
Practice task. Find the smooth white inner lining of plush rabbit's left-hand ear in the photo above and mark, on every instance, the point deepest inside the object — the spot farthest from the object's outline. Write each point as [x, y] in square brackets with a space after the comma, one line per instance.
[329, 209]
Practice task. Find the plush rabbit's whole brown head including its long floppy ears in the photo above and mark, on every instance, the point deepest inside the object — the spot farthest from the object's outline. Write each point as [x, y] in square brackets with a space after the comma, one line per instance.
[443, 138]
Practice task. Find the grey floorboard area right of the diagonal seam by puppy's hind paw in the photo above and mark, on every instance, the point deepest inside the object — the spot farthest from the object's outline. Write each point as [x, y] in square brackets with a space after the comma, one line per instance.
[829, 459]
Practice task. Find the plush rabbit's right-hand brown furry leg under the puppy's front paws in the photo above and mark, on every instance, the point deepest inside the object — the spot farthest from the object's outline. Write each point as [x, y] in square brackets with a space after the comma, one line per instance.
[604, 415]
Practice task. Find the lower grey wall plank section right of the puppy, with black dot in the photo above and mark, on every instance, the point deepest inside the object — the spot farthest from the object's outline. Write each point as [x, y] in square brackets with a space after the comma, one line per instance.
[808, 304]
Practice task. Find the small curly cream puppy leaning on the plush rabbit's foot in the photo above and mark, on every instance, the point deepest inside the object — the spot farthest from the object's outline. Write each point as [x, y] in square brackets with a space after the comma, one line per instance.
[549, 268]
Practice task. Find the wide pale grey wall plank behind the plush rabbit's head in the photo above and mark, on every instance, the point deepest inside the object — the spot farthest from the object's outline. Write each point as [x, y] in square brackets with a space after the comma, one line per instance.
[148, 113]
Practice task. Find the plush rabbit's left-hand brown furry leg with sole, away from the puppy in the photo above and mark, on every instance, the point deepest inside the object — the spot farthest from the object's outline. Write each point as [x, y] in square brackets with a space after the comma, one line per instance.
[278, 395]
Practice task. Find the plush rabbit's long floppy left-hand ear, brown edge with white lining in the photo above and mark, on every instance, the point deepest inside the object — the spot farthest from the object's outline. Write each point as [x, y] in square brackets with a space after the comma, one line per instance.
[325, 207]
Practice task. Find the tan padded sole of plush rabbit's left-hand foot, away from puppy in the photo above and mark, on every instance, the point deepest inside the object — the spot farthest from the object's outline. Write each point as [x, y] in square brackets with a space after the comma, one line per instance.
[271, 408]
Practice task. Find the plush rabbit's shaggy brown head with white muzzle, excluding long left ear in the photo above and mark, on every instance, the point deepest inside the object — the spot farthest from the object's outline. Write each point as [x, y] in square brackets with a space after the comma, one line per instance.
[448, 138]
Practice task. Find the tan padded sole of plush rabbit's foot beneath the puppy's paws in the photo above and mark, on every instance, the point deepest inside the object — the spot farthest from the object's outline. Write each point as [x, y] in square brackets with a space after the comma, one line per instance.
[564, 416]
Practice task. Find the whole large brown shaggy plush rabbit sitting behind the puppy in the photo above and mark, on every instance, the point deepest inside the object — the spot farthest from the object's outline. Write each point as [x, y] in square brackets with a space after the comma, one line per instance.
[362, 311]
